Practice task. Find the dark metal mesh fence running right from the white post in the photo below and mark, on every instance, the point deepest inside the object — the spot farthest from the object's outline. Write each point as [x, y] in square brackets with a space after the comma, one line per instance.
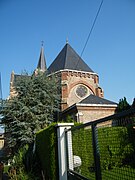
[102, 149]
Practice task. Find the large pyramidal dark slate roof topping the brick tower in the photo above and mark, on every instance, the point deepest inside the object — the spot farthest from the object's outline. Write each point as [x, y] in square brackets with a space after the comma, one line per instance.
[68, 59]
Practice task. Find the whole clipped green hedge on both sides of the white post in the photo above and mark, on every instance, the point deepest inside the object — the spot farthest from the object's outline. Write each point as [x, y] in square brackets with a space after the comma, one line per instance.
[116, 147]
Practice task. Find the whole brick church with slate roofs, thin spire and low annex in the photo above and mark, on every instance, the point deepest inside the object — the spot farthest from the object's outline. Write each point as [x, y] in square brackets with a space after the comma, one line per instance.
[81, 96]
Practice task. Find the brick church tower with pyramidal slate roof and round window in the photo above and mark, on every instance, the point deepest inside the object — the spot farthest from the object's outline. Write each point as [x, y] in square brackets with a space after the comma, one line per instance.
[78, 80]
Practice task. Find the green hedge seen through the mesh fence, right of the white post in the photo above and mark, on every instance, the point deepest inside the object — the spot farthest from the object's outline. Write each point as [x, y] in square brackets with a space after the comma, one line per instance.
[116, 147]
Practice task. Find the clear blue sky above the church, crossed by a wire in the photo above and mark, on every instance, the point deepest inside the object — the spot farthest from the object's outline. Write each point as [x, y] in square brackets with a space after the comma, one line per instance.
[110, 51]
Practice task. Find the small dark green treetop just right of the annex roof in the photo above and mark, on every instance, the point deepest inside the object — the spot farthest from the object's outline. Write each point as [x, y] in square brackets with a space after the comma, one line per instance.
[123, 105]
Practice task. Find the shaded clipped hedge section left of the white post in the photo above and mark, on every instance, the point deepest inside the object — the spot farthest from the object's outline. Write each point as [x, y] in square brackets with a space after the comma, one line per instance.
[46, 146]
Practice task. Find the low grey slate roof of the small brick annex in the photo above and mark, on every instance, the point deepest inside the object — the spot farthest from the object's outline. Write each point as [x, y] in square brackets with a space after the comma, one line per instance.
[92, 99]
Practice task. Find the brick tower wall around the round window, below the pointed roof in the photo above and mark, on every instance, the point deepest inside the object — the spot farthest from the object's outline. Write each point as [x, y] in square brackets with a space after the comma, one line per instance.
[70, 79]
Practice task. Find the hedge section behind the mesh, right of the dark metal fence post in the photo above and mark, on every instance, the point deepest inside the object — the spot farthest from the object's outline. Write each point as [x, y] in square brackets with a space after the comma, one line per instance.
[116, 146]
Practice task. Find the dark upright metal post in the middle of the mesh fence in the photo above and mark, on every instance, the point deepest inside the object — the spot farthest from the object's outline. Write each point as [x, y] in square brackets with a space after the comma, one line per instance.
[96, 152]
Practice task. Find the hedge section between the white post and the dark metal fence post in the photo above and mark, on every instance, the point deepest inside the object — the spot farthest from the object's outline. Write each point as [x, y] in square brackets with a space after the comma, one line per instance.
[82, 147]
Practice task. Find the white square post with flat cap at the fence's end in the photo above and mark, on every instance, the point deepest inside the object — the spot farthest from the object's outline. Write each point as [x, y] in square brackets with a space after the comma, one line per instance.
[62, 154]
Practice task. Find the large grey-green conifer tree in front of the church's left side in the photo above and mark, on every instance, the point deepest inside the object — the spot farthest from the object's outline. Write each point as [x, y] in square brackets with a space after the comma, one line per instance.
[37, 100]
